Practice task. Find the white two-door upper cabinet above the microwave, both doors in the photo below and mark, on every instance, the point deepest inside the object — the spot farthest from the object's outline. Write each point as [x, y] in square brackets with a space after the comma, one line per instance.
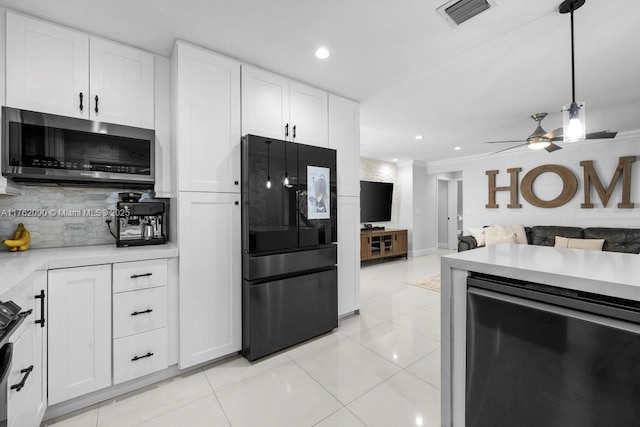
[49, 69]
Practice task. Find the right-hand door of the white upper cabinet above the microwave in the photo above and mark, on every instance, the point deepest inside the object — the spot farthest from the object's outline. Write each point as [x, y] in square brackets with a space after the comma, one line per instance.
[121, 84]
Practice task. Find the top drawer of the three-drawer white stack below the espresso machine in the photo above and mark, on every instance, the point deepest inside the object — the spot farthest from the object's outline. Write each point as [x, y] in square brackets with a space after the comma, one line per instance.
[130, 276]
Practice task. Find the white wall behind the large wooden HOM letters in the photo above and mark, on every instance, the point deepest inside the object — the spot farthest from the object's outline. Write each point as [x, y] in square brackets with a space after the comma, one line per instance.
[605, 156]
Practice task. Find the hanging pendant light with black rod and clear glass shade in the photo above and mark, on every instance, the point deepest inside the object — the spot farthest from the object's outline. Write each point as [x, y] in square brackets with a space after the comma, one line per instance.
[573, 114]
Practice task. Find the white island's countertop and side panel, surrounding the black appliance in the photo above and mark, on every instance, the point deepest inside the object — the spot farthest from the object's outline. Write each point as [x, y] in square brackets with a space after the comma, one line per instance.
[602, 273]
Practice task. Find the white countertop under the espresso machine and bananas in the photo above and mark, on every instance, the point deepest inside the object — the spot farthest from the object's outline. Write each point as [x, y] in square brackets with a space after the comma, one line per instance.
[16, 266]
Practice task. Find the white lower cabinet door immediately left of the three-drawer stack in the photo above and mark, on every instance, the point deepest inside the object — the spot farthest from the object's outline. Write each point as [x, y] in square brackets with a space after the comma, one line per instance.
[79, 331]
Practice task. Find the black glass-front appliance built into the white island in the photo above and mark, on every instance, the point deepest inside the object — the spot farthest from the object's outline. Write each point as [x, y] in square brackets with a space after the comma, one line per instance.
[540, 355]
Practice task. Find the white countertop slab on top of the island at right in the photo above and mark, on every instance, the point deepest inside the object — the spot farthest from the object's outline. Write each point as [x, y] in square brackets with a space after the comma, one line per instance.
[606, 273]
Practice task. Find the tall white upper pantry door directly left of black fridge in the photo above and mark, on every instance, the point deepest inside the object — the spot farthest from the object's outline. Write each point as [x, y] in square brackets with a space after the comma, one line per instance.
[207, 125]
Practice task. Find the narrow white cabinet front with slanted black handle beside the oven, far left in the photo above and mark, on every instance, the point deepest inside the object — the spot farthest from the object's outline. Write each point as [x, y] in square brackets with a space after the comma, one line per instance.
[22, 360]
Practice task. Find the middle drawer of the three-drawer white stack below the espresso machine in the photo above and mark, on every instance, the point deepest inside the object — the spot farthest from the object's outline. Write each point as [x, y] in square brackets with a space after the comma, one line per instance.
[139, 311]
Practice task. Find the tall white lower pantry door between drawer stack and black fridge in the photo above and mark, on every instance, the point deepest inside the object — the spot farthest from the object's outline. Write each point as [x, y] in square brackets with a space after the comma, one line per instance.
[210, 276]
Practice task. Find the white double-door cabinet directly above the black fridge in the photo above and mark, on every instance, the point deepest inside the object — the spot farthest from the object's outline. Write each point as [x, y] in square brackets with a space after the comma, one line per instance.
[276, 107]
